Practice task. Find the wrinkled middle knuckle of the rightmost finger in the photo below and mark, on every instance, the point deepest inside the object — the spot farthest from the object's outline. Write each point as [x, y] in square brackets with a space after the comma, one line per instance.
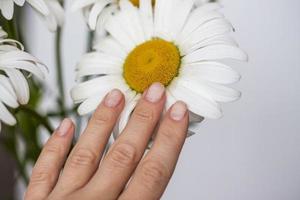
[154, 174]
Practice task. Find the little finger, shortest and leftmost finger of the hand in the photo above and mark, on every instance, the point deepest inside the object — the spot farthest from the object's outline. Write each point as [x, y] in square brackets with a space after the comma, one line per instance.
[50, 162]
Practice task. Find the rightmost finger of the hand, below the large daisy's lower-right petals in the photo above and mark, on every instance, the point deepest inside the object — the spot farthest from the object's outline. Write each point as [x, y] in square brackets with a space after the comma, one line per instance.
[155, 170]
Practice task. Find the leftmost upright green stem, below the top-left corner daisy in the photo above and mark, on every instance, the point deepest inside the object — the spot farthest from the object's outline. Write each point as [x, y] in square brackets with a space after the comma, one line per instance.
[59, 73]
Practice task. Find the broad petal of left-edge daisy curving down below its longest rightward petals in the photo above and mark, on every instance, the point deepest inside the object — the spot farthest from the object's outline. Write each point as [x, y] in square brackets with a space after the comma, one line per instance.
[20, 85]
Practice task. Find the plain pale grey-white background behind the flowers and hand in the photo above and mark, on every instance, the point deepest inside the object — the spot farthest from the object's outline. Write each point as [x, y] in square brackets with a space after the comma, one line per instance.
[254, 151]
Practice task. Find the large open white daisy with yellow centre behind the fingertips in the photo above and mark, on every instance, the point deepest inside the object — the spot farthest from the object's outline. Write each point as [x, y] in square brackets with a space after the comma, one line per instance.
[174, 44]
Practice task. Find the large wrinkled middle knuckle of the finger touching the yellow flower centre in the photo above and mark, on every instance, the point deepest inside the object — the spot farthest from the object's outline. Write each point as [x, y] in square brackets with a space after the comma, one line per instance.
[123, 155]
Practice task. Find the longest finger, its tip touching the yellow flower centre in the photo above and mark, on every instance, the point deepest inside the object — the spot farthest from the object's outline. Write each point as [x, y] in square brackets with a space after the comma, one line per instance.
[126, 152]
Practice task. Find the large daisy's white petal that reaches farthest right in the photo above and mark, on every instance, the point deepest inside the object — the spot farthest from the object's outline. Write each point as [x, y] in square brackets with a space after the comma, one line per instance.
[215, 52]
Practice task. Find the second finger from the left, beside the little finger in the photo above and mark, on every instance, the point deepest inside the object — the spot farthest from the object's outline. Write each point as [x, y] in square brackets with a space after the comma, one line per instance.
[85, 157]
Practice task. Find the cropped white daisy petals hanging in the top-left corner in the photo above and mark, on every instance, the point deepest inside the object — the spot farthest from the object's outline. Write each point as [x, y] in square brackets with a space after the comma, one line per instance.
[50, 10]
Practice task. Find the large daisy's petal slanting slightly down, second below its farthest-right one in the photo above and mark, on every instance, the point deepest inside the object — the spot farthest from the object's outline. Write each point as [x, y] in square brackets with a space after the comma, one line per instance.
[210, 90]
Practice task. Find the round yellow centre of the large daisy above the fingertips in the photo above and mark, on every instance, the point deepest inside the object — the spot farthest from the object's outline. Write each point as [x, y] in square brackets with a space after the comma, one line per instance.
[153, 61]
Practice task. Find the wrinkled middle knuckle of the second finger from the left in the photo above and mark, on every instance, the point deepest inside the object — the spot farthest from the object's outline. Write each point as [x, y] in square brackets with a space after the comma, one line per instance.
[83, 157]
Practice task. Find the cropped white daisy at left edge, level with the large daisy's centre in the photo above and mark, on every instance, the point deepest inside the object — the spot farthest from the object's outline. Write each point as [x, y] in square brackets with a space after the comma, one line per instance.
[14, 88]
